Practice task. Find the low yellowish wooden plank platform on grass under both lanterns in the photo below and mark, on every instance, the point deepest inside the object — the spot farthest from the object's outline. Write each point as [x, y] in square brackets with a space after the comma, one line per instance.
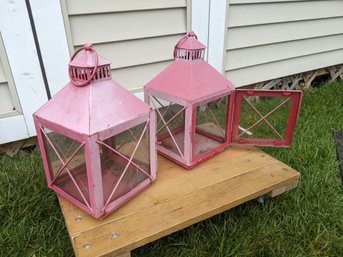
[179, 198]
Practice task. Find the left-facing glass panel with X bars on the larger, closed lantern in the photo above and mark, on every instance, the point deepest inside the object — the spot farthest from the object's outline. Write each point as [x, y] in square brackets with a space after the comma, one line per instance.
[66, 148]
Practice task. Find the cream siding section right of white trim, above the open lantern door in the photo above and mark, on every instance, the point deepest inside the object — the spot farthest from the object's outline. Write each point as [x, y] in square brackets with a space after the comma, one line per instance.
[270, 39]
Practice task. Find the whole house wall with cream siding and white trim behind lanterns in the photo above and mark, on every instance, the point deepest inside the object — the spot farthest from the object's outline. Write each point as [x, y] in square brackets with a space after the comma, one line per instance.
[247, 40]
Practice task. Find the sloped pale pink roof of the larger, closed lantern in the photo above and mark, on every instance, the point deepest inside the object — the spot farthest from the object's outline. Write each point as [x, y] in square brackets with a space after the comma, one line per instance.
[91, 108]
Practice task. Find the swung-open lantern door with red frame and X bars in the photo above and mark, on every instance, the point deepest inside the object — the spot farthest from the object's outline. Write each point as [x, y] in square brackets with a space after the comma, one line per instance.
[265, 117]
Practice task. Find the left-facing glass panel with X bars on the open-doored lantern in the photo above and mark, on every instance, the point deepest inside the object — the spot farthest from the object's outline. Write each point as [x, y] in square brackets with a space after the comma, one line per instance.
[170, 129]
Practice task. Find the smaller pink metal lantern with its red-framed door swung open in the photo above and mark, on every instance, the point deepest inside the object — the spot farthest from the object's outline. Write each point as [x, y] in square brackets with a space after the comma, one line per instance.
[199, 112]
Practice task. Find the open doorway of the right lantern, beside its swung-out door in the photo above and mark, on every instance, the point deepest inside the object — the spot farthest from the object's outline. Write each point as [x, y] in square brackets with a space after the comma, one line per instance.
[211, 125]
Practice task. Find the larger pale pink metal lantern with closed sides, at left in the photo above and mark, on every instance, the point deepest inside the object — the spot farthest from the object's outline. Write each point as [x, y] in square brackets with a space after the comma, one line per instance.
[97, 140]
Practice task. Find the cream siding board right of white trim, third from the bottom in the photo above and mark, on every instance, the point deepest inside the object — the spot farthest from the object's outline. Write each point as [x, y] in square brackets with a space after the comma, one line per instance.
[240, 37]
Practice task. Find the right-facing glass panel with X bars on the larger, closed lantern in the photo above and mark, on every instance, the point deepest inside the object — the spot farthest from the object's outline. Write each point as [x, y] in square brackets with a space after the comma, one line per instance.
[113, 163]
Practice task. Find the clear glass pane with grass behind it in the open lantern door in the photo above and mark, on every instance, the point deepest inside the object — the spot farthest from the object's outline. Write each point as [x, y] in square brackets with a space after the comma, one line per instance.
[264, 117]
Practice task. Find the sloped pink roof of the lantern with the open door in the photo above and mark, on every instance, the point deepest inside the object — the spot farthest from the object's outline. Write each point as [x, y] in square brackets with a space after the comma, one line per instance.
[190, 79]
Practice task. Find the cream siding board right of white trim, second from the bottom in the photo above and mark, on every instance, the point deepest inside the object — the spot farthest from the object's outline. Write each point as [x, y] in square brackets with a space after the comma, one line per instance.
[245, 57]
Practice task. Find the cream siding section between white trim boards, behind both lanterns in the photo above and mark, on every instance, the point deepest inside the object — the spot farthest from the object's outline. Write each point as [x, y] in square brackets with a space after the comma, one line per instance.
[137, 36]
